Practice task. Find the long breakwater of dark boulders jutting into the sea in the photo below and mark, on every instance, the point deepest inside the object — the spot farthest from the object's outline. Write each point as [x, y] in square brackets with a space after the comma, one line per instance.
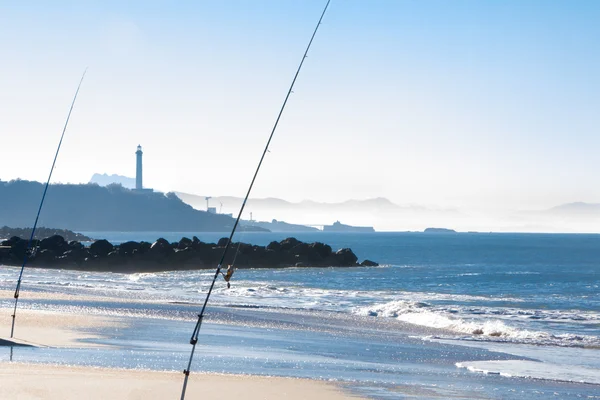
[186, 254]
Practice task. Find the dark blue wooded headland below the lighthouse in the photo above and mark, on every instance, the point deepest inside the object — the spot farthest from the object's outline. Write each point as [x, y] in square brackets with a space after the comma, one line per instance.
[91, 207]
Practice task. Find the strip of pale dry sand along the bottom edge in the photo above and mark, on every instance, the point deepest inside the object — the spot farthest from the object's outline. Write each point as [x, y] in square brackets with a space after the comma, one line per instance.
[29, 381]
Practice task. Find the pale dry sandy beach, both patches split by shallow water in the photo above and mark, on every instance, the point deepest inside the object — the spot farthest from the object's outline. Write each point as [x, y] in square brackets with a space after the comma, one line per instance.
[62, 330]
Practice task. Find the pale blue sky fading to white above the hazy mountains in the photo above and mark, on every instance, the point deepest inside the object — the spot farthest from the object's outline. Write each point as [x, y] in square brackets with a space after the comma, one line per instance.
[468, 104]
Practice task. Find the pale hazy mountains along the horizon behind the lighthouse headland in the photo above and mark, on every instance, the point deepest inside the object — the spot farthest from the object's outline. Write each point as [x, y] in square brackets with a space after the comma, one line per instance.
[385, 215]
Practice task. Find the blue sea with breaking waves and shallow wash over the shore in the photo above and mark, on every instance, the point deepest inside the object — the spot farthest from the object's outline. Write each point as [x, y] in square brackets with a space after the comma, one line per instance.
[445, 315]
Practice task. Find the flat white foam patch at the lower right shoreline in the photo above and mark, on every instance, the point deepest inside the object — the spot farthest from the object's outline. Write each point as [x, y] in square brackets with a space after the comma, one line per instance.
[535, 370]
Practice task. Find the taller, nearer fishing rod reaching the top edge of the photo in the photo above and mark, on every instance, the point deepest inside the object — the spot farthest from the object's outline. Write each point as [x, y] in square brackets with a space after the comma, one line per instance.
[194, 338]
